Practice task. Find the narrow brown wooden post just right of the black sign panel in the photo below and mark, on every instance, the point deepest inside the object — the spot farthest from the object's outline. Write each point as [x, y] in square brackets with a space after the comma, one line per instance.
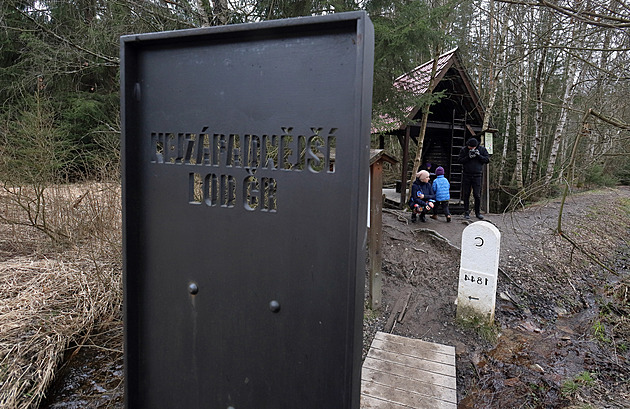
[375, 232]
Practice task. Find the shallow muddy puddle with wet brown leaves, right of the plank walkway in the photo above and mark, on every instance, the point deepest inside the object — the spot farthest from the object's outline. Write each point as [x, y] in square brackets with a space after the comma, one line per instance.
[531, 363]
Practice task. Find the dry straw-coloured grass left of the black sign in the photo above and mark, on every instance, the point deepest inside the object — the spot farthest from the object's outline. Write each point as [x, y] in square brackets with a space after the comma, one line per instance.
[53, 293]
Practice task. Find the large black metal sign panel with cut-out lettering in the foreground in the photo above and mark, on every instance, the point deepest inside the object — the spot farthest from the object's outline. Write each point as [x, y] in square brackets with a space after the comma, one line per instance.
[245, 167]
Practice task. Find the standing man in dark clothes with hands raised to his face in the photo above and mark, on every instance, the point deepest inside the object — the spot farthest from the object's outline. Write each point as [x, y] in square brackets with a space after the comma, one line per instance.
[472, 157]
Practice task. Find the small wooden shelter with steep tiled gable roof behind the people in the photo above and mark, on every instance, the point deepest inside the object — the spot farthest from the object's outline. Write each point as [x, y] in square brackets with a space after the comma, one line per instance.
[452, 121]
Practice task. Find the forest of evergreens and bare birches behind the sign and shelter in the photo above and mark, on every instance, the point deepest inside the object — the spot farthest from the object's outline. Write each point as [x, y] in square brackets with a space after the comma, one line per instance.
[68, 49]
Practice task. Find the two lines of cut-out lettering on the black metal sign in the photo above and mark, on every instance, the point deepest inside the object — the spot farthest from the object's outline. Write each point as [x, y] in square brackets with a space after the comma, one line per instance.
[288, 151]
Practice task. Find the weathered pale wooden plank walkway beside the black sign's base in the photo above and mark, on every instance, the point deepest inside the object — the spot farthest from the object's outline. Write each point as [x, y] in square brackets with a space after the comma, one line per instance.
[404, 373]
